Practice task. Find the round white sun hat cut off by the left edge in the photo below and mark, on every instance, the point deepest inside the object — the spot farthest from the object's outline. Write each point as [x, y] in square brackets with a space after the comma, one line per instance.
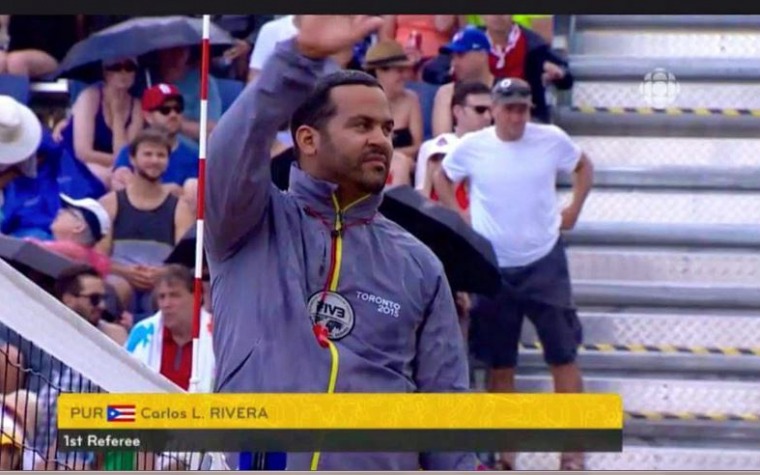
[20, 131]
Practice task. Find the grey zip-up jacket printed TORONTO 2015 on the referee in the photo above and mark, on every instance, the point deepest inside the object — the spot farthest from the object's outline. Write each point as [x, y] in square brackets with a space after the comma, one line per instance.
[272, 254]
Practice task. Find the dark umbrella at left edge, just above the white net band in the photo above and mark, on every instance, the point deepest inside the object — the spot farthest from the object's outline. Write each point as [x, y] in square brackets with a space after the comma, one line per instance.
[40, 265]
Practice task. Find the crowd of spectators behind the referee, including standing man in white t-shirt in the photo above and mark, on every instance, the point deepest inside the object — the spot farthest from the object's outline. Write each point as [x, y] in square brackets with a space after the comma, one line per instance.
[113, 185]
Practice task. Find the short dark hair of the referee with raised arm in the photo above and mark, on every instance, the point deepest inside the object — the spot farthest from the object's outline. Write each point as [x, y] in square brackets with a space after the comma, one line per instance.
[318, 108]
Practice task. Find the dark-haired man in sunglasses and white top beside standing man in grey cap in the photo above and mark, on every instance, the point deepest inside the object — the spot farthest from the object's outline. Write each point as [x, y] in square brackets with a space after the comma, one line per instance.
[471, 111]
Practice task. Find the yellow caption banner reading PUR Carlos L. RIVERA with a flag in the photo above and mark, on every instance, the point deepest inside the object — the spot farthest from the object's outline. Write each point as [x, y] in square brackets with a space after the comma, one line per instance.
[340, 411]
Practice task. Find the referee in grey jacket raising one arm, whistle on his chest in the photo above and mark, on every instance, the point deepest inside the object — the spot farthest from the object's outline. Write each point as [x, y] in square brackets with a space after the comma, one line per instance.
[313, 290]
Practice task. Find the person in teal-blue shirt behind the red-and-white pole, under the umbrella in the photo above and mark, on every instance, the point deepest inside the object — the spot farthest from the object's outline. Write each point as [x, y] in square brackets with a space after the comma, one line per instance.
[180, 66]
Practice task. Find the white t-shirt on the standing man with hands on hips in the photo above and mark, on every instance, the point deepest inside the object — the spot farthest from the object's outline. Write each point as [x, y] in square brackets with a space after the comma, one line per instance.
[513, 198]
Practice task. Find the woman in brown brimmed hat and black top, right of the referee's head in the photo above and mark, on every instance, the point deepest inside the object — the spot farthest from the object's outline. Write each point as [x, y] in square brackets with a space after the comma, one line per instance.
[389, 63]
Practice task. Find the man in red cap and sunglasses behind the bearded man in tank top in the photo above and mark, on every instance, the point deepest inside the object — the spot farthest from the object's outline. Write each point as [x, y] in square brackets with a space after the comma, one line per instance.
[163, 108]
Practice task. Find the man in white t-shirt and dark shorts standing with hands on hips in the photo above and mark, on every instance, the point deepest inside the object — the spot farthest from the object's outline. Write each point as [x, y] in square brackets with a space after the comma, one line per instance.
[512, 169]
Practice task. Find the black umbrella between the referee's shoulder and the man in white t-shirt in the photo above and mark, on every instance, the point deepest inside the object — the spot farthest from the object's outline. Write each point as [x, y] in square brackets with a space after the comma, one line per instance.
[468, 257]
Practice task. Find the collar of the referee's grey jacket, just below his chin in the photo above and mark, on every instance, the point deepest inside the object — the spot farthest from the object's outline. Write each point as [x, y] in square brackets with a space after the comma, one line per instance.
[318, 196]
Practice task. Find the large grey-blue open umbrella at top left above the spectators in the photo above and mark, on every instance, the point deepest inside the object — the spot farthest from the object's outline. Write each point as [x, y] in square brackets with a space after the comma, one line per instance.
[136, 37]
